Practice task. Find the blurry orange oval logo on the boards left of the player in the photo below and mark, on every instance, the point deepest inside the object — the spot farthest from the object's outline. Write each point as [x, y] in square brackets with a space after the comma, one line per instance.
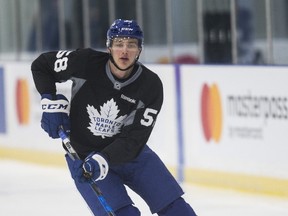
[22, 101]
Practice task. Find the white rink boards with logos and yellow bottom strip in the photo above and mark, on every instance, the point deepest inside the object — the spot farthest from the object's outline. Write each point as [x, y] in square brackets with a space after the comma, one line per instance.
[220, 125]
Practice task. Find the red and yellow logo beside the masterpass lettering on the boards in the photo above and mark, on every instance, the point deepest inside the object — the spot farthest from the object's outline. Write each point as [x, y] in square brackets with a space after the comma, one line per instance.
[211, 112]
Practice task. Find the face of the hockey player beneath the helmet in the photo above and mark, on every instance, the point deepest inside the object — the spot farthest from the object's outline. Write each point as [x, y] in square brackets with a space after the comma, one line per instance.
[125, 51]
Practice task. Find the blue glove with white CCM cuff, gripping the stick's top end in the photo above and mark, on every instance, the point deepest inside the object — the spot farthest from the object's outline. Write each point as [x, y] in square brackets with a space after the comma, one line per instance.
[55, 114]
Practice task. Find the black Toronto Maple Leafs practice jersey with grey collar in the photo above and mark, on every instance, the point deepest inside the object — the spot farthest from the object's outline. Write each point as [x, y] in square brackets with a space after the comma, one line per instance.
[111, 116]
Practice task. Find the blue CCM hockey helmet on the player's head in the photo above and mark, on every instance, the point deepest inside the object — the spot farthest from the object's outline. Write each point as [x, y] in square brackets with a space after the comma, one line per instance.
[125, 28]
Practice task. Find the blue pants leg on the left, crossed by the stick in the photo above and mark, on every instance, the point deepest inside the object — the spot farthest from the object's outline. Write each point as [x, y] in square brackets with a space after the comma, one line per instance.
[113, 191]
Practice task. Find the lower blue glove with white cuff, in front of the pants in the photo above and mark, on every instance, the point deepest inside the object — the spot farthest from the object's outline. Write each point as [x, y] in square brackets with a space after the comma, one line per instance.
[95, 167]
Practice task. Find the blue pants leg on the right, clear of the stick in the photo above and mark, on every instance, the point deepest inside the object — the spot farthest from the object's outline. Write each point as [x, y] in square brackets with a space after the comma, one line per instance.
[148, 176]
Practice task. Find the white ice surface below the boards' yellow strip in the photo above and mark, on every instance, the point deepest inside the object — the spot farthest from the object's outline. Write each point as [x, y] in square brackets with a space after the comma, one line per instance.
[36, 190]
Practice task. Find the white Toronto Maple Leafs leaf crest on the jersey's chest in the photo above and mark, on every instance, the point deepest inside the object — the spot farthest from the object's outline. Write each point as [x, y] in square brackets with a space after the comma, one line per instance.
[105, 123]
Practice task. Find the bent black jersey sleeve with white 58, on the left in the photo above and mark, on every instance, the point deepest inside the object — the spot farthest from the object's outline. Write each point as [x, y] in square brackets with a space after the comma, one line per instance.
[52, 67]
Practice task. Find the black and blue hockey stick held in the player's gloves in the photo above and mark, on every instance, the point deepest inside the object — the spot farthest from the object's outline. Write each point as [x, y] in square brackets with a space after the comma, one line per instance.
[73, 155]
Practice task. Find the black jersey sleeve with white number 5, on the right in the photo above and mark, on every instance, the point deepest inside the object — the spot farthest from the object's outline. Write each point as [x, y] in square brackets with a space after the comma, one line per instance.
[137, 127]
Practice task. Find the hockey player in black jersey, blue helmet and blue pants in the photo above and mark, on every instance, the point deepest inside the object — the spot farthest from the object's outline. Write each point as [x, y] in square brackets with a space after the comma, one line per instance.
[114, 105]
